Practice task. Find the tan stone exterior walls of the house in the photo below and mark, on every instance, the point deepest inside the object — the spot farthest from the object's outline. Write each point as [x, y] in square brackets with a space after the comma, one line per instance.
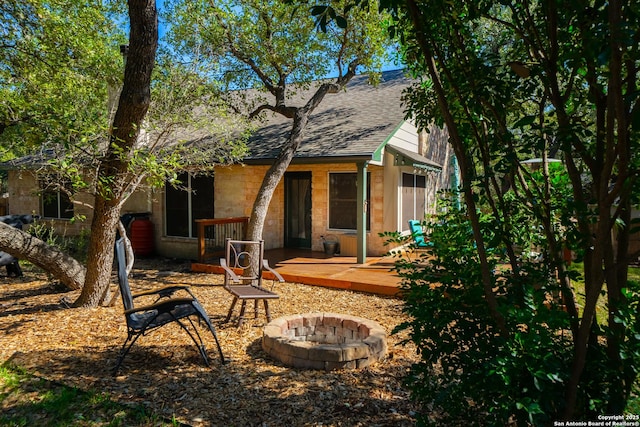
[235, 190]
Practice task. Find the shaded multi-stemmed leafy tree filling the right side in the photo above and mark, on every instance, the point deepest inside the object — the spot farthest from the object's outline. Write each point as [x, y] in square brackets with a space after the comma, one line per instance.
[514, 80]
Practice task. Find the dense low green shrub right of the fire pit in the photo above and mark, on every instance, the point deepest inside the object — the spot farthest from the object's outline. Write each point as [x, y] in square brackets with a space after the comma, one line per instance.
[470, 371]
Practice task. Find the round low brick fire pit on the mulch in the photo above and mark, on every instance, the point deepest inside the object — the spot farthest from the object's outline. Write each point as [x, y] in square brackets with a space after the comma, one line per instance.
[324, 341]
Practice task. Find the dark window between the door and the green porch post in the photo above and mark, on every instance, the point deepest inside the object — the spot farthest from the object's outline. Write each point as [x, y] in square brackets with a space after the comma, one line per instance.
[343, 201]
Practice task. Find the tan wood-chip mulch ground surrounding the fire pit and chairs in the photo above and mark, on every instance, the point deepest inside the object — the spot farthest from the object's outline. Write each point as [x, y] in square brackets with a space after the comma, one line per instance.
[164, 372]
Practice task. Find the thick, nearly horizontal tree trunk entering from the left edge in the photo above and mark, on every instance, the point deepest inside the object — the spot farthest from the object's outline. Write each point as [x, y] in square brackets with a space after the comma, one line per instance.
[25, 246]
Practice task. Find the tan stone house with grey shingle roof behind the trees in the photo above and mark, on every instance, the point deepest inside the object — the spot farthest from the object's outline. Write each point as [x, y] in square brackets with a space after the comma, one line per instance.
[358, 133]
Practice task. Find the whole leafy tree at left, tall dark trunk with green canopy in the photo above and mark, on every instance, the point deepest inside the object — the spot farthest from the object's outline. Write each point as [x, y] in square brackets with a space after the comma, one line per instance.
[64, 95]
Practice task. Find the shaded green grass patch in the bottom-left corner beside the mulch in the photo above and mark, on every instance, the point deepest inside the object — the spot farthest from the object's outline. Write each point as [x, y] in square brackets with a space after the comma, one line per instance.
[26, 400]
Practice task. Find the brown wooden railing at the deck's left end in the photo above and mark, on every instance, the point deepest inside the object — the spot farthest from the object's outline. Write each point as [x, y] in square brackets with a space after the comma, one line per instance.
[213, 233]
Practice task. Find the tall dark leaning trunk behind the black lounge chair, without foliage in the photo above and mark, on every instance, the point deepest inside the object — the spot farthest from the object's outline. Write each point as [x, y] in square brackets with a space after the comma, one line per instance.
[113, 174]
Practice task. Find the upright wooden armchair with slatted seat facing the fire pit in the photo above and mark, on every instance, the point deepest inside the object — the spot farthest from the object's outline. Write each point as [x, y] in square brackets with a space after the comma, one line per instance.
[244, 265]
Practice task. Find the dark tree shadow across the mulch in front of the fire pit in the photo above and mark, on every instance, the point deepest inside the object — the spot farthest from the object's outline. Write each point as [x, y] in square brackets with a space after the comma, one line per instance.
[171, 380]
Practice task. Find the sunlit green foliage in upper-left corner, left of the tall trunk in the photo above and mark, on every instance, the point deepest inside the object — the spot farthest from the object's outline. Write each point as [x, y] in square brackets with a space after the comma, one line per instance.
[58, 59]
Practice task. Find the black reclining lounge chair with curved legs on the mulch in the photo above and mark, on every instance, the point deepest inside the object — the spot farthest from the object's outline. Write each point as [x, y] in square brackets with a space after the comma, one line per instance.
[163, 310]
